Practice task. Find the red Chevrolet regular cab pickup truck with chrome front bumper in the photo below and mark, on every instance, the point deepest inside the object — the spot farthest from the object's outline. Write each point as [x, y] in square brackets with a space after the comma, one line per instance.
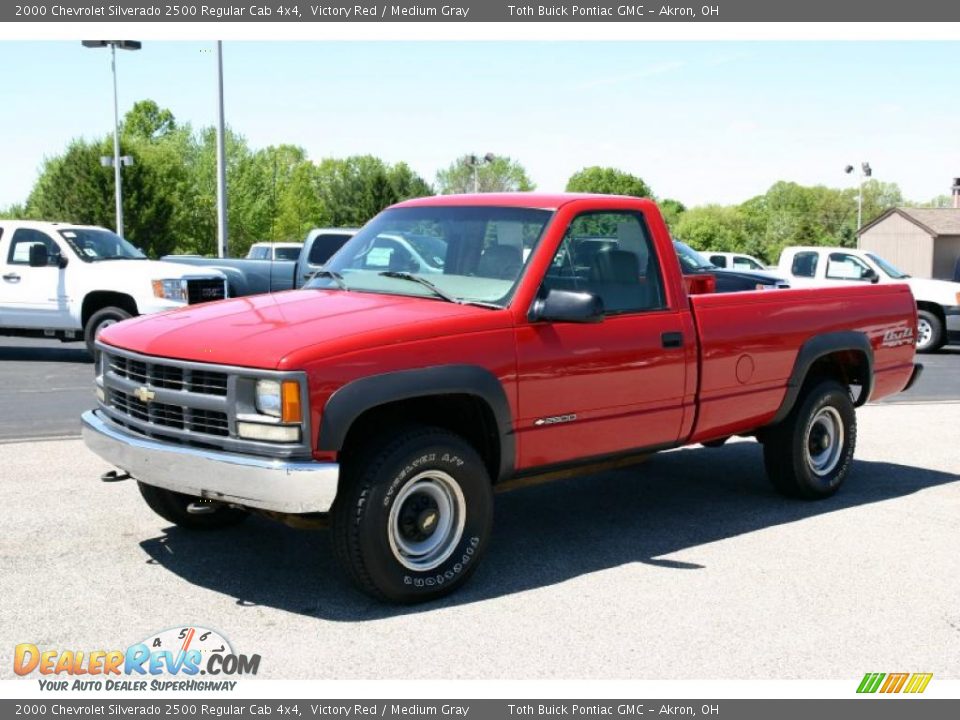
[460, 343]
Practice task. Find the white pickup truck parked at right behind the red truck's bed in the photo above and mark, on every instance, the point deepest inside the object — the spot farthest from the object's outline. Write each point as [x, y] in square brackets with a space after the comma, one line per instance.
[938, 301]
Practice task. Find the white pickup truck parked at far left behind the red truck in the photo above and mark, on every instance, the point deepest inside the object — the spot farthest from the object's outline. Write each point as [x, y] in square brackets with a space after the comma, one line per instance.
[71, 281]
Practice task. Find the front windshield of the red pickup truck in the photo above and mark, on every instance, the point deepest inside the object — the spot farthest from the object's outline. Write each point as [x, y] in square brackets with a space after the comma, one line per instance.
[466, 254]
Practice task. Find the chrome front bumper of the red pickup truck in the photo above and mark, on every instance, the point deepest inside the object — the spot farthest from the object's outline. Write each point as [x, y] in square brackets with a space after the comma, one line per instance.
[278, 485]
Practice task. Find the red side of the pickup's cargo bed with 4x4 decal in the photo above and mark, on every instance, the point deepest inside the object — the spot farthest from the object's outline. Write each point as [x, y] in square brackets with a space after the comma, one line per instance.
[749, 341]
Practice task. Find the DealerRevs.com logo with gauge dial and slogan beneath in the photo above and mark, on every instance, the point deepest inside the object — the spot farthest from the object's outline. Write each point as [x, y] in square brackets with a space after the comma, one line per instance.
[183, 658]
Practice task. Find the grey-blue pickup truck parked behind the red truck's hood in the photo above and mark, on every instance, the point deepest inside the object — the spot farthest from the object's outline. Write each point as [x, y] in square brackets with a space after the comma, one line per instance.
[253, 277]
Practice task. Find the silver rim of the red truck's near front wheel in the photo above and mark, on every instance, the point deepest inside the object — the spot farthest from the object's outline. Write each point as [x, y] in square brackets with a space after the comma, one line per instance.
[426, 521]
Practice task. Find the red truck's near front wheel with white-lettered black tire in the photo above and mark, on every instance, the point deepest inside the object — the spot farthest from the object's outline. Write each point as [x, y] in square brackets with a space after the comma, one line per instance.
[413, 517]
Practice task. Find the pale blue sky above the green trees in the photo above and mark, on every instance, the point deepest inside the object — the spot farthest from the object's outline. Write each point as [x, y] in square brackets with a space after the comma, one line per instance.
[701, 122]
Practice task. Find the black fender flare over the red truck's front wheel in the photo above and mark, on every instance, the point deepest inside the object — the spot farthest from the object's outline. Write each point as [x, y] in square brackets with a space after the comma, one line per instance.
[353, 399]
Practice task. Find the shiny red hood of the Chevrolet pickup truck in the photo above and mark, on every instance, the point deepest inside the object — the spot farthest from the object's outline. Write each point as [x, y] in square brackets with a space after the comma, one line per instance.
[265, 331]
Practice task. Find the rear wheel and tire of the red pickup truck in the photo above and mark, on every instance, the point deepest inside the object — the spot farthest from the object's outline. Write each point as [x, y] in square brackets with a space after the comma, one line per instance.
[808, 455]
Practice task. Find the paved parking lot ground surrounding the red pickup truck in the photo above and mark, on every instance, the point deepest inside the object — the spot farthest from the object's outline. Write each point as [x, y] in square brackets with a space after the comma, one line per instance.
[687, 566]
